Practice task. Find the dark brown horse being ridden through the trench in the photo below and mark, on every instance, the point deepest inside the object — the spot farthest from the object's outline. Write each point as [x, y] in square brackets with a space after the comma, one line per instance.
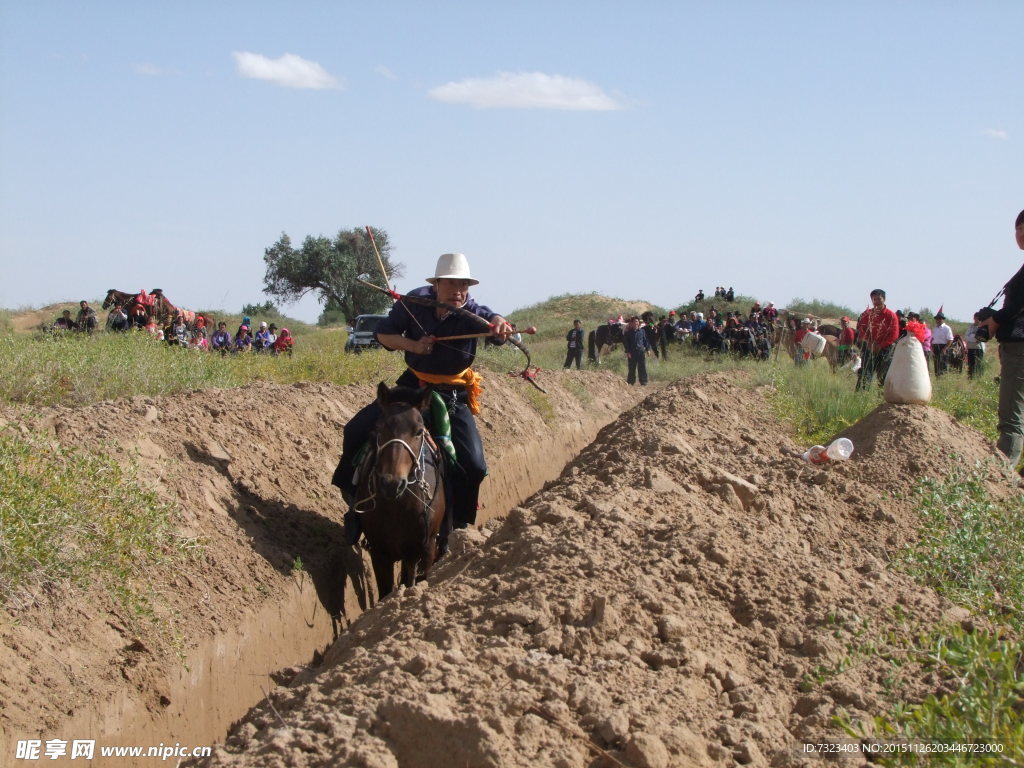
[401, 490]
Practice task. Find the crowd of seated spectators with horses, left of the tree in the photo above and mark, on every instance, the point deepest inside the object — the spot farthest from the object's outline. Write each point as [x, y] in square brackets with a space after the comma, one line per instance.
[183, 332]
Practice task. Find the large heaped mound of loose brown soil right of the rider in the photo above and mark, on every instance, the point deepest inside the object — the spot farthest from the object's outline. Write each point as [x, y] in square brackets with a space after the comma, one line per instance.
[669, 602]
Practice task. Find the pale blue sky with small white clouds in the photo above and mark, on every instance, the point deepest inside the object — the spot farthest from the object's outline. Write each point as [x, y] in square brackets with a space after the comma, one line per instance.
[644, 150]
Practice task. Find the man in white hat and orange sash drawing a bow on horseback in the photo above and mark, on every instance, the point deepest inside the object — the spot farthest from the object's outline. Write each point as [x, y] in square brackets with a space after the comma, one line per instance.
[446, 367]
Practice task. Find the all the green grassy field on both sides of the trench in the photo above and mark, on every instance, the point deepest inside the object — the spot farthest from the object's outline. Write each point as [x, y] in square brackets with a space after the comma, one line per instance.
[970, 548]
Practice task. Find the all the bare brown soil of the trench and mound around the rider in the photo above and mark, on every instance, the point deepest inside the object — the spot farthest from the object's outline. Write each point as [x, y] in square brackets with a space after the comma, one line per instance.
[664, 602]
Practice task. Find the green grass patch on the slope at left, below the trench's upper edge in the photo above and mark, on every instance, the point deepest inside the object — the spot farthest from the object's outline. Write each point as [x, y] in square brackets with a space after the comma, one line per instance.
[73, 518]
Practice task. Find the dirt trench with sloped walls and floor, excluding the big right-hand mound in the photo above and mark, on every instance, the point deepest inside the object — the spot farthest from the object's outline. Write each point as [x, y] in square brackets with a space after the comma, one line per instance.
[250, 470]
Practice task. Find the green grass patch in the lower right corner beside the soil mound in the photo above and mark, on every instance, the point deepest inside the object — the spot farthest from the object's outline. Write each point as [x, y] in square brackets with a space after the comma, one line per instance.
[970, 549]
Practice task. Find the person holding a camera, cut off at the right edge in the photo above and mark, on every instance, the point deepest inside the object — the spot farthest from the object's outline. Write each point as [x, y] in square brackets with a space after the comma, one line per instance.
[1007, 326]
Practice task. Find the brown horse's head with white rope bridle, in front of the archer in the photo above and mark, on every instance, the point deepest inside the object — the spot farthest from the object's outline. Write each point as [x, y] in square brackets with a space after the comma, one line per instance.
[402, 441]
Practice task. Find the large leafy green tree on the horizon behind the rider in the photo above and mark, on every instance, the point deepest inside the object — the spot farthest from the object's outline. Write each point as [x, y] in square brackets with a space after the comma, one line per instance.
[330, 268]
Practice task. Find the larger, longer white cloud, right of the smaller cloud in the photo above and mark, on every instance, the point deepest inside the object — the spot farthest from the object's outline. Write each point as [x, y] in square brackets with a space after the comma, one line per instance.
[529, 91]
